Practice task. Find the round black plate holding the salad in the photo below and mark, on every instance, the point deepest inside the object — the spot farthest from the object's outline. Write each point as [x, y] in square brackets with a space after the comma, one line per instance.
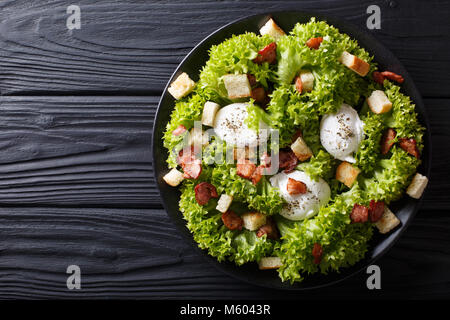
[405, 209]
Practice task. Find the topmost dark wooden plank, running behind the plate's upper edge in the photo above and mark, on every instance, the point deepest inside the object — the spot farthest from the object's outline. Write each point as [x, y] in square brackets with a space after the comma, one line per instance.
[133, 48]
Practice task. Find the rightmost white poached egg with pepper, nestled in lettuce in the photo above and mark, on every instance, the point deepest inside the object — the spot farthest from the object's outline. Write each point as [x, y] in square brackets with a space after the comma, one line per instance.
[341, 133]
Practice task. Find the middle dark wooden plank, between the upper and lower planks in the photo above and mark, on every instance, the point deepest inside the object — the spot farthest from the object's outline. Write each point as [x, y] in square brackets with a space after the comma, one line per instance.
[96, 151]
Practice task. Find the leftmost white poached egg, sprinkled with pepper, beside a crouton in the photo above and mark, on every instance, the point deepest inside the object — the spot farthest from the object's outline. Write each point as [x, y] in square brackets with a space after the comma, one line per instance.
[230, 126]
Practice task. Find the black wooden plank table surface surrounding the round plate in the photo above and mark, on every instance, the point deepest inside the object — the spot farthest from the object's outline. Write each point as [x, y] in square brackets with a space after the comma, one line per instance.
[76, 178]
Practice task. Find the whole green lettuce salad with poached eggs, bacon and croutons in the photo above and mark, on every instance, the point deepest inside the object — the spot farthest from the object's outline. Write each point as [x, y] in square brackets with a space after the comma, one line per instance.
[290, 148]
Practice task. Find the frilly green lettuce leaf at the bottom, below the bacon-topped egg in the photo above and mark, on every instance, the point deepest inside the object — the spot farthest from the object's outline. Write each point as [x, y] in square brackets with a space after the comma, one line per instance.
[343, 244]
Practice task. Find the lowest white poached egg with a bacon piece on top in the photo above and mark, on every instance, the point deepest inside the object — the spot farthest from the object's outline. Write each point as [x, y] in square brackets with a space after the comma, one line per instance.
[301, 206]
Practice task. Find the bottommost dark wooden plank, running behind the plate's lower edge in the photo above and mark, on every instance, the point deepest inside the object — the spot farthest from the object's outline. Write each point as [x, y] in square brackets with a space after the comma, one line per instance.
[139, 254]
